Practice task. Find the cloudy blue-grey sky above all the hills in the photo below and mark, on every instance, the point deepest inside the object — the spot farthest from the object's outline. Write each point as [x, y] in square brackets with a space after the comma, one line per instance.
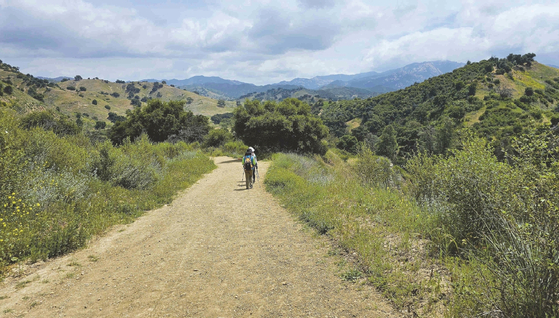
[265, 41]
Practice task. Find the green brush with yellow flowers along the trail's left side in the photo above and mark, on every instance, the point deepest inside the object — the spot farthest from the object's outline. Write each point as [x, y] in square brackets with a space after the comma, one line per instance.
[57, 190]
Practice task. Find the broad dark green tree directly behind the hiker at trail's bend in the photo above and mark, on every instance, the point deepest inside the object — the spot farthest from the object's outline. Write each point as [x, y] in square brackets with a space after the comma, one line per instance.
[285, 126]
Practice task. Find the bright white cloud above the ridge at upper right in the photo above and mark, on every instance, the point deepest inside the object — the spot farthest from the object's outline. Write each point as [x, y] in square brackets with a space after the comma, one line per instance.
[529, 28]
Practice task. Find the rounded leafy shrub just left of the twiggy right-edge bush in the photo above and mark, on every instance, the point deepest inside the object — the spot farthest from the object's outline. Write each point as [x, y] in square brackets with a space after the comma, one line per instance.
[469, 183]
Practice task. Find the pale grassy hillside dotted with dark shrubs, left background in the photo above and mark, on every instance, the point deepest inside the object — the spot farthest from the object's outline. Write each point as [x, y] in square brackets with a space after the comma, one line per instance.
[74, 96]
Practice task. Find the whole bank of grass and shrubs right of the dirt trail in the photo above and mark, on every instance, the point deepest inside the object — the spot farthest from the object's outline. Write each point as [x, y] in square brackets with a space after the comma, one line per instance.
[462, 234]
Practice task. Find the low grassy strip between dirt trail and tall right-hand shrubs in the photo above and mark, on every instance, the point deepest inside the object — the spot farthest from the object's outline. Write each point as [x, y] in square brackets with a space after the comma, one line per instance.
[374, 225]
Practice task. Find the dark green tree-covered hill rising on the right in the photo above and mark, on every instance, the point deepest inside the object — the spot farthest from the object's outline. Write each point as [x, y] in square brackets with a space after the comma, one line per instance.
[497, 98]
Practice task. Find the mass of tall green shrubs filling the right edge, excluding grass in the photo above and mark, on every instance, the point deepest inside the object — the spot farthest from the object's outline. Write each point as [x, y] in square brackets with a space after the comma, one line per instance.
[502, 214]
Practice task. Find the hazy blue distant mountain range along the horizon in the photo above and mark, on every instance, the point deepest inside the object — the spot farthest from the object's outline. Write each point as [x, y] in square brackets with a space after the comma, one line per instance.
[360, 85]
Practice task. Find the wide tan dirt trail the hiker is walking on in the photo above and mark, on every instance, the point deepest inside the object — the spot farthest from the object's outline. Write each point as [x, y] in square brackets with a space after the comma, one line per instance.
[217, 251]
